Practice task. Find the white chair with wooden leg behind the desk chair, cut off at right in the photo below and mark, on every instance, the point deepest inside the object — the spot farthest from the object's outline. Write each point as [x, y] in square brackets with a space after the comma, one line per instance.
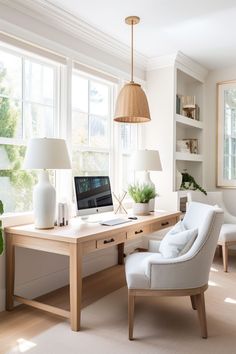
[227, 235]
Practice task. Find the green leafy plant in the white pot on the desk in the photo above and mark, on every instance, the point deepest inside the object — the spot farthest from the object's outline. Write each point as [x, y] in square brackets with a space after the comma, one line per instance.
[141, 193]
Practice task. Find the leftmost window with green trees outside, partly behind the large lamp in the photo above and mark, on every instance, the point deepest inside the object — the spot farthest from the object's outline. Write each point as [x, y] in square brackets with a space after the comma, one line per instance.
[27, 109]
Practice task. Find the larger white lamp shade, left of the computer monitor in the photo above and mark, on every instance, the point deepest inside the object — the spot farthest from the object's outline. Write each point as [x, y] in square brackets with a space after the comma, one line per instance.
[47, 153]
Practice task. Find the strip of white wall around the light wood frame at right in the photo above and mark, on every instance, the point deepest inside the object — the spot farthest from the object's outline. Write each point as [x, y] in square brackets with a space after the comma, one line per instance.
[210, 134]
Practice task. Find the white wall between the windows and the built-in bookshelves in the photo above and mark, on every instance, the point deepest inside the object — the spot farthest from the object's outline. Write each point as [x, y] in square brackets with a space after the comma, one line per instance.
[159, 133]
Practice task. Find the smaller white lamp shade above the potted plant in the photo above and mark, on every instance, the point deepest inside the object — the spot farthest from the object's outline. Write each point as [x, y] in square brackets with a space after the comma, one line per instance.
[147, 160]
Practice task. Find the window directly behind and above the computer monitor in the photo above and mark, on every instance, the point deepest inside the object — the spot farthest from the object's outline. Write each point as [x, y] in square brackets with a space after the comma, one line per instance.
[91, 120]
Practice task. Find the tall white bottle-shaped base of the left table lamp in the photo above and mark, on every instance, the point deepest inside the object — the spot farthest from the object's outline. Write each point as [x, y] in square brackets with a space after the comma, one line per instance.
[44, 200]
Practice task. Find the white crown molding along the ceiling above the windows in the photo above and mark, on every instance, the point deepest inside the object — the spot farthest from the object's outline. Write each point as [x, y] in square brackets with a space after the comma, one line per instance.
[44, 11]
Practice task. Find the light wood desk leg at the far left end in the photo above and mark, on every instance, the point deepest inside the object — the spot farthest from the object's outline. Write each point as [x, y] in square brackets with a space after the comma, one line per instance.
[10, 272]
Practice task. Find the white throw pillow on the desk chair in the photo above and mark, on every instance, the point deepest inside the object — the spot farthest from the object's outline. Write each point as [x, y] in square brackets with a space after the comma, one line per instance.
[177, 241]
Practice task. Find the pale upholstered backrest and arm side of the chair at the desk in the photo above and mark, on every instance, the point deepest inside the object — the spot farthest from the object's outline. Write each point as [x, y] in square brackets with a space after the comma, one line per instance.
[192, 268]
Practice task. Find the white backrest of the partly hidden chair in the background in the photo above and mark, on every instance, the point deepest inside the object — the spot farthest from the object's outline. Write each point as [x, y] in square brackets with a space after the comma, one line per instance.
[212, 198]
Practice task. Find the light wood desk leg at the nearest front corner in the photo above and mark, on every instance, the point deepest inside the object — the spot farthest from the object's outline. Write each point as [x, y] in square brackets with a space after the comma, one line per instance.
[75, 285]
